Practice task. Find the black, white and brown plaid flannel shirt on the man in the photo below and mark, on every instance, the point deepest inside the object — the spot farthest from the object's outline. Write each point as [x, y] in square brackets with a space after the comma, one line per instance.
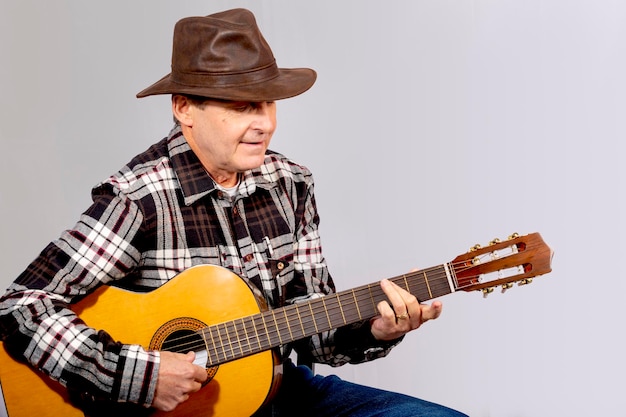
[158, 216]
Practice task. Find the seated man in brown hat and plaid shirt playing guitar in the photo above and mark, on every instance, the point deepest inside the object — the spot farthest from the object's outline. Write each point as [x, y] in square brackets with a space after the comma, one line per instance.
[209, 193]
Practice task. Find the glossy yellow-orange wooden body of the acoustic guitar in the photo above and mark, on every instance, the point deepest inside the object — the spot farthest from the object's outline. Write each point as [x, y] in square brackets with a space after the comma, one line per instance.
[208, 294]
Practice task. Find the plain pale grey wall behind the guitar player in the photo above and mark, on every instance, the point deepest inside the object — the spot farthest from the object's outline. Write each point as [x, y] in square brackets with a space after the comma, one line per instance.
[434, 125]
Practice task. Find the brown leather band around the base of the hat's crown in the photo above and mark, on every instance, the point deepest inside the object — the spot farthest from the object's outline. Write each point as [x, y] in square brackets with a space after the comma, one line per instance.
[205, 79]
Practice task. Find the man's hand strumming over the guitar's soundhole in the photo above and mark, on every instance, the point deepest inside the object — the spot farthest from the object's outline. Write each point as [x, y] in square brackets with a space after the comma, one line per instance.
[178, 378]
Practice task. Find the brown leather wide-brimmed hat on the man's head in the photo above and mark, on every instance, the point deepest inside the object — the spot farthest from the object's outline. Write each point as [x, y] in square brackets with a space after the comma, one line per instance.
[225, 56]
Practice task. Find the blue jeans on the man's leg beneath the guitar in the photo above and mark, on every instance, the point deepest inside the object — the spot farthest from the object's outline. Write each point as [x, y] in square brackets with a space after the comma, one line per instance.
[303, 394]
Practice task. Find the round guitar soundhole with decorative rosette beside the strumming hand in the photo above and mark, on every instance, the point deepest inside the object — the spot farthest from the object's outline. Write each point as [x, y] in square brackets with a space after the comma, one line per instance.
[181, 335]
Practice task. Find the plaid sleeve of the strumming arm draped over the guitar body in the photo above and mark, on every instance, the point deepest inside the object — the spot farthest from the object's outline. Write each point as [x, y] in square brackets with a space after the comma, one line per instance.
[38, 325]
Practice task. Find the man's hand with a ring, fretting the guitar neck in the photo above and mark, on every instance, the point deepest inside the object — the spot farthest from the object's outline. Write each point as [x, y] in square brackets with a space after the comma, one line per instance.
[401, 314]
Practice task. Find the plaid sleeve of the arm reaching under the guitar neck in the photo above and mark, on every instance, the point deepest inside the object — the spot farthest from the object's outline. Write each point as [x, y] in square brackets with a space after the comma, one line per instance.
[349, 344]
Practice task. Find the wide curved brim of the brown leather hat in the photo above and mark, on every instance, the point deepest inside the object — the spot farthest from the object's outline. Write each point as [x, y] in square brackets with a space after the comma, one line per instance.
[289, 83]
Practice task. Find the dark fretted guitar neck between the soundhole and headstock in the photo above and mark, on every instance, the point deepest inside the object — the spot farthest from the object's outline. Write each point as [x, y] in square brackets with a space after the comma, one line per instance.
[259, 332]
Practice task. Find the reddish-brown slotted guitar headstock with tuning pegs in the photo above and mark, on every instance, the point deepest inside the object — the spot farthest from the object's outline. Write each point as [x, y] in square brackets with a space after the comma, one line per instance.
[502, 263]
